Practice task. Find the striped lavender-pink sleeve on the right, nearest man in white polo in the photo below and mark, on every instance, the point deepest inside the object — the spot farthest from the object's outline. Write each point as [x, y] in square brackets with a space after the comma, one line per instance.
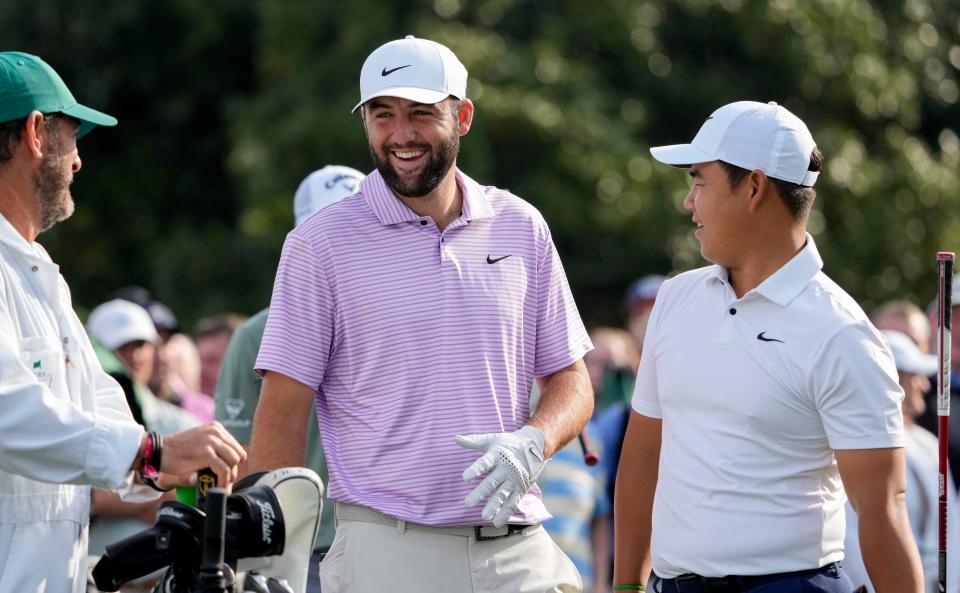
[561, 337]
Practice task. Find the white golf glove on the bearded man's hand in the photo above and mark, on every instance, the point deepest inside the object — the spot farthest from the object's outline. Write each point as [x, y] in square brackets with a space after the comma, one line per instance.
[512, 460]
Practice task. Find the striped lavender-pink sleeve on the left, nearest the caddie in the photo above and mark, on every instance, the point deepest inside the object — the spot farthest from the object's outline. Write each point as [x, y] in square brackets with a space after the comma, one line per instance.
[299, 336]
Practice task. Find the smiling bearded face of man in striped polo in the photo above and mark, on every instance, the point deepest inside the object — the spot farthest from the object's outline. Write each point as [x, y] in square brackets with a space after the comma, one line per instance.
[414, 145]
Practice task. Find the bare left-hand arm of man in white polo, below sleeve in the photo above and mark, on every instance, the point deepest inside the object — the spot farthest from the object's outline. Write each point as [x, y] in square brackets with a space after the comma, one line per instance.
[633, 501]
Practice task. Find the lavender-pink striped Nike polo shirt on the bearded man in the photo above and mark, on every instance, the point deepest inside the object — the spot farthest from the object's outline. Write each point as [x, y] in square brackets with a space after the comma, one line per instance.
[411, 336]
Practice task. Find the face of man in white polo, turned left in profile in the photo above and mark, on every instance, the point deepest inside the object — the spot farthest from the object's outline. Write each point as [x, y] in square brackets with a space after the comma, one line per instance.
[719, 212]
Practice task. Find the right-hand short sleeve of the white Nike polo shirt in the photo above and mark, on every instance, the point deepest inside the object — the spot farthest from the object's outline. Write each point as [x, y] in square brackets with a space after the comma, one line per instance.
[856, 391]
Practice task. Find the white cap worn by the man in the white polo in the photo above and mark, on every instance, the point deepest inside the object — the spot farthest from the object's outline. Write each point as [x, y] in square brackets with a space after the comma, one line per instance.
[750, 135]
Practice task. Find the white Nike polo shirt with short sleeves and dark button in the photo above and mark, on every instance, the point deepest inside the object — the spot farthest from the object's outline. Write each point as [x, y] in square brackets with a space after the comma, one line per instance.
[755, 394]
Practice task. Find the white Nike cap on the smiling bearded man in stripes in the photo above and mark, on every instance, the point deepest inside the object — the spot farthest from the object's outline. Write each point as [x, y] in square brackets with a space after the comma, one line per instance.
[416, 69]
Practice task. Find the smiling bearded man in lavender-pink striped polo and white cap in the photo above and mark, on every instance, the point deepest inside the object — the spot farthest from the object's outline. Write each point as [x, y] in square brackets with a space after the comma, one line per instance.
[415, 316]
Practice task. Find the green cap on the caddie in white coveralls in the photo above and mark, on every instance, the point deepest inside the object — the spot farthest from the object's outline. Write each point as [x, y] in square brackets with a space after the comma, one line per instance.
[27, 83]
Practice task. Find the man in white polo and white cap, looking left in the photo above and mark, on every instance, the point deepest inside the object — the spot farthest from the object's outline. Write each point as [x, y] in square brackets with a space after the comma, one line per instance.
[763, 392]
